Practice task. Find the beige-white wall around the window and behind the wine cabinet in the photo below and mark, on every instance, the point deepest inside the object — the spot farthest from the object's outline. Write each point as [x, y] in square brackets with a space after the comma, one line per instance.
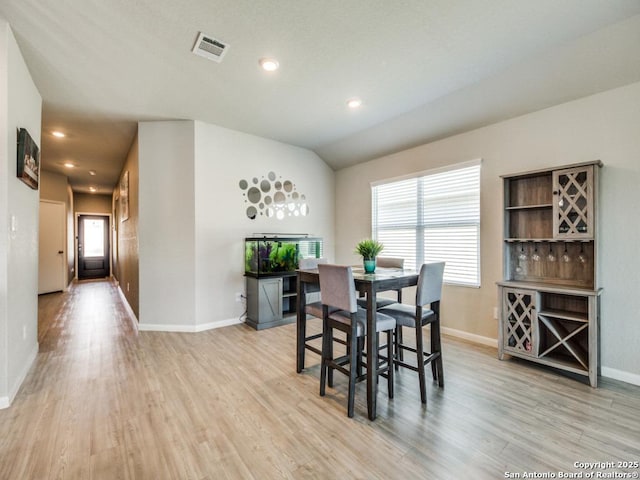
[605, 126]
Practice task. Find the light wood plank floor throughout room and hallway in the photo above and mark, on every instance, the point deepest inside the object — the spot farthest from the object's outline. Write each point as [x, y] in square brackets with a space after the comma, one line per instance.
[102, 401]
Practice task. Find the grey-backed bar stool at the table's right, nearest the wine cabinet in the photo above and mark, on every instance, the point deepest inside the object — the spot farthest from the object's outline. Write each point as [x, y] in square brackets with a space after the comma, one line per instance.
[428, 292]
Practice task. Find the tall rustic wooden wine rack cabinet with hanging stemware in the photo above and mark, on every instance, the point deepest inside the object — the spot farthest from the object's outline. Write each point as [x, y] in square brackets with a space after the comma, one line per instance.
[549, 299]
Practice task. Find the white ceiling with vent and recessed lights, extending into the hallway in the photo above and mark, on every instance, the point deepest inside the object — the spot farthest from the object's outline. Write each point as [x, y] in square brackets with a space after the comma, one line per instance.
[425, 69]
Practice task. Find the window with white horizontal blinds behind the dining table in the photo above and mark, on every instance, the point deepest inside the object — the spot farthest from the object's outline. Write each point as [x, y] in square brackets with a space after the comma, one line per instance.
[432, 217]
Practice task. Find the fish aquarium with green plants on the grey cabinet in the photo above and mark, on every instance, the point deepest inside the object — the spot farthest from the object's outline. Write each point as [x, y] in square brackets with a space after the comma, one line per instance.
[275, 255]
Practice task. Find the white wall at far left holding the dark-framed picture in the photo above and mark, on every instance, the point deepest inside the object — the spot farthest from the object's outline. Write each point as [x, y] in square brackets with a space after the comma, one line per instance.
[20, 106]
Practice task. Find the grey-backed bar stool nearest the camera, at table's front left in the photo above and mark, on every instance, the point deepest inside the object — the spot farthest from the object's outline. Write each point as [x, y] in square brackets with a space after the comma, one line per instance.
[338, 291]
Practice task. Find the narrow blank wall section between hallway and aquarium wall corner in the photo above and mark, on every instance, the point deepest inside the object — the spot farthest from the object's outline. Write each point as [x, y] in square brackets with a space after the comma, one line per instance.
[166, 228]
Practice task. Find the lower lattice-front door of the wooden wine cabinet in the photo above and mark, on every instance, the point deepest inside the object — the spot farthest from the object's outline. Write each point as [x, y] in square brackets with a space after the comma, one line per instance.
[519, 328]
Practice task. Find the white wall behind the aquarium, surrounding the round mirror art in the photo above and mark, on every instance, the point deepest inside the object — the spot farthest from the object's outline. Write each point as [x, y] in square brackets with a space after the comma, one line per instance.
[223, 158]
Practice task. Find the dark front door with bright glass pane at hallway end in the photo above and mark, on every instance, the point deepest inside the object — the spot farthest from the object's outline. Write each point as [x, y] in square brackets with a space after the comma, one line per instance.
[93, 246]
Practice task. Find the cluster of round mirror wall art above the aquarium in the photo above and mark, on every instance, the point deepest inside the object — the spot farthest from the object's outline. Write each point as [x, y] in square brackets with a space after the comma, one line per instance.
[282, 201]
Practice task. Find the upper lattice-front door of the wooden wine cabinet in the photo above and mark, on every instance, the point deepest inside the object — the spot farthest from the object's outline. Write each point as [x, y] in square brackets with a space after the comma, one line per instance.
[573, 203]
